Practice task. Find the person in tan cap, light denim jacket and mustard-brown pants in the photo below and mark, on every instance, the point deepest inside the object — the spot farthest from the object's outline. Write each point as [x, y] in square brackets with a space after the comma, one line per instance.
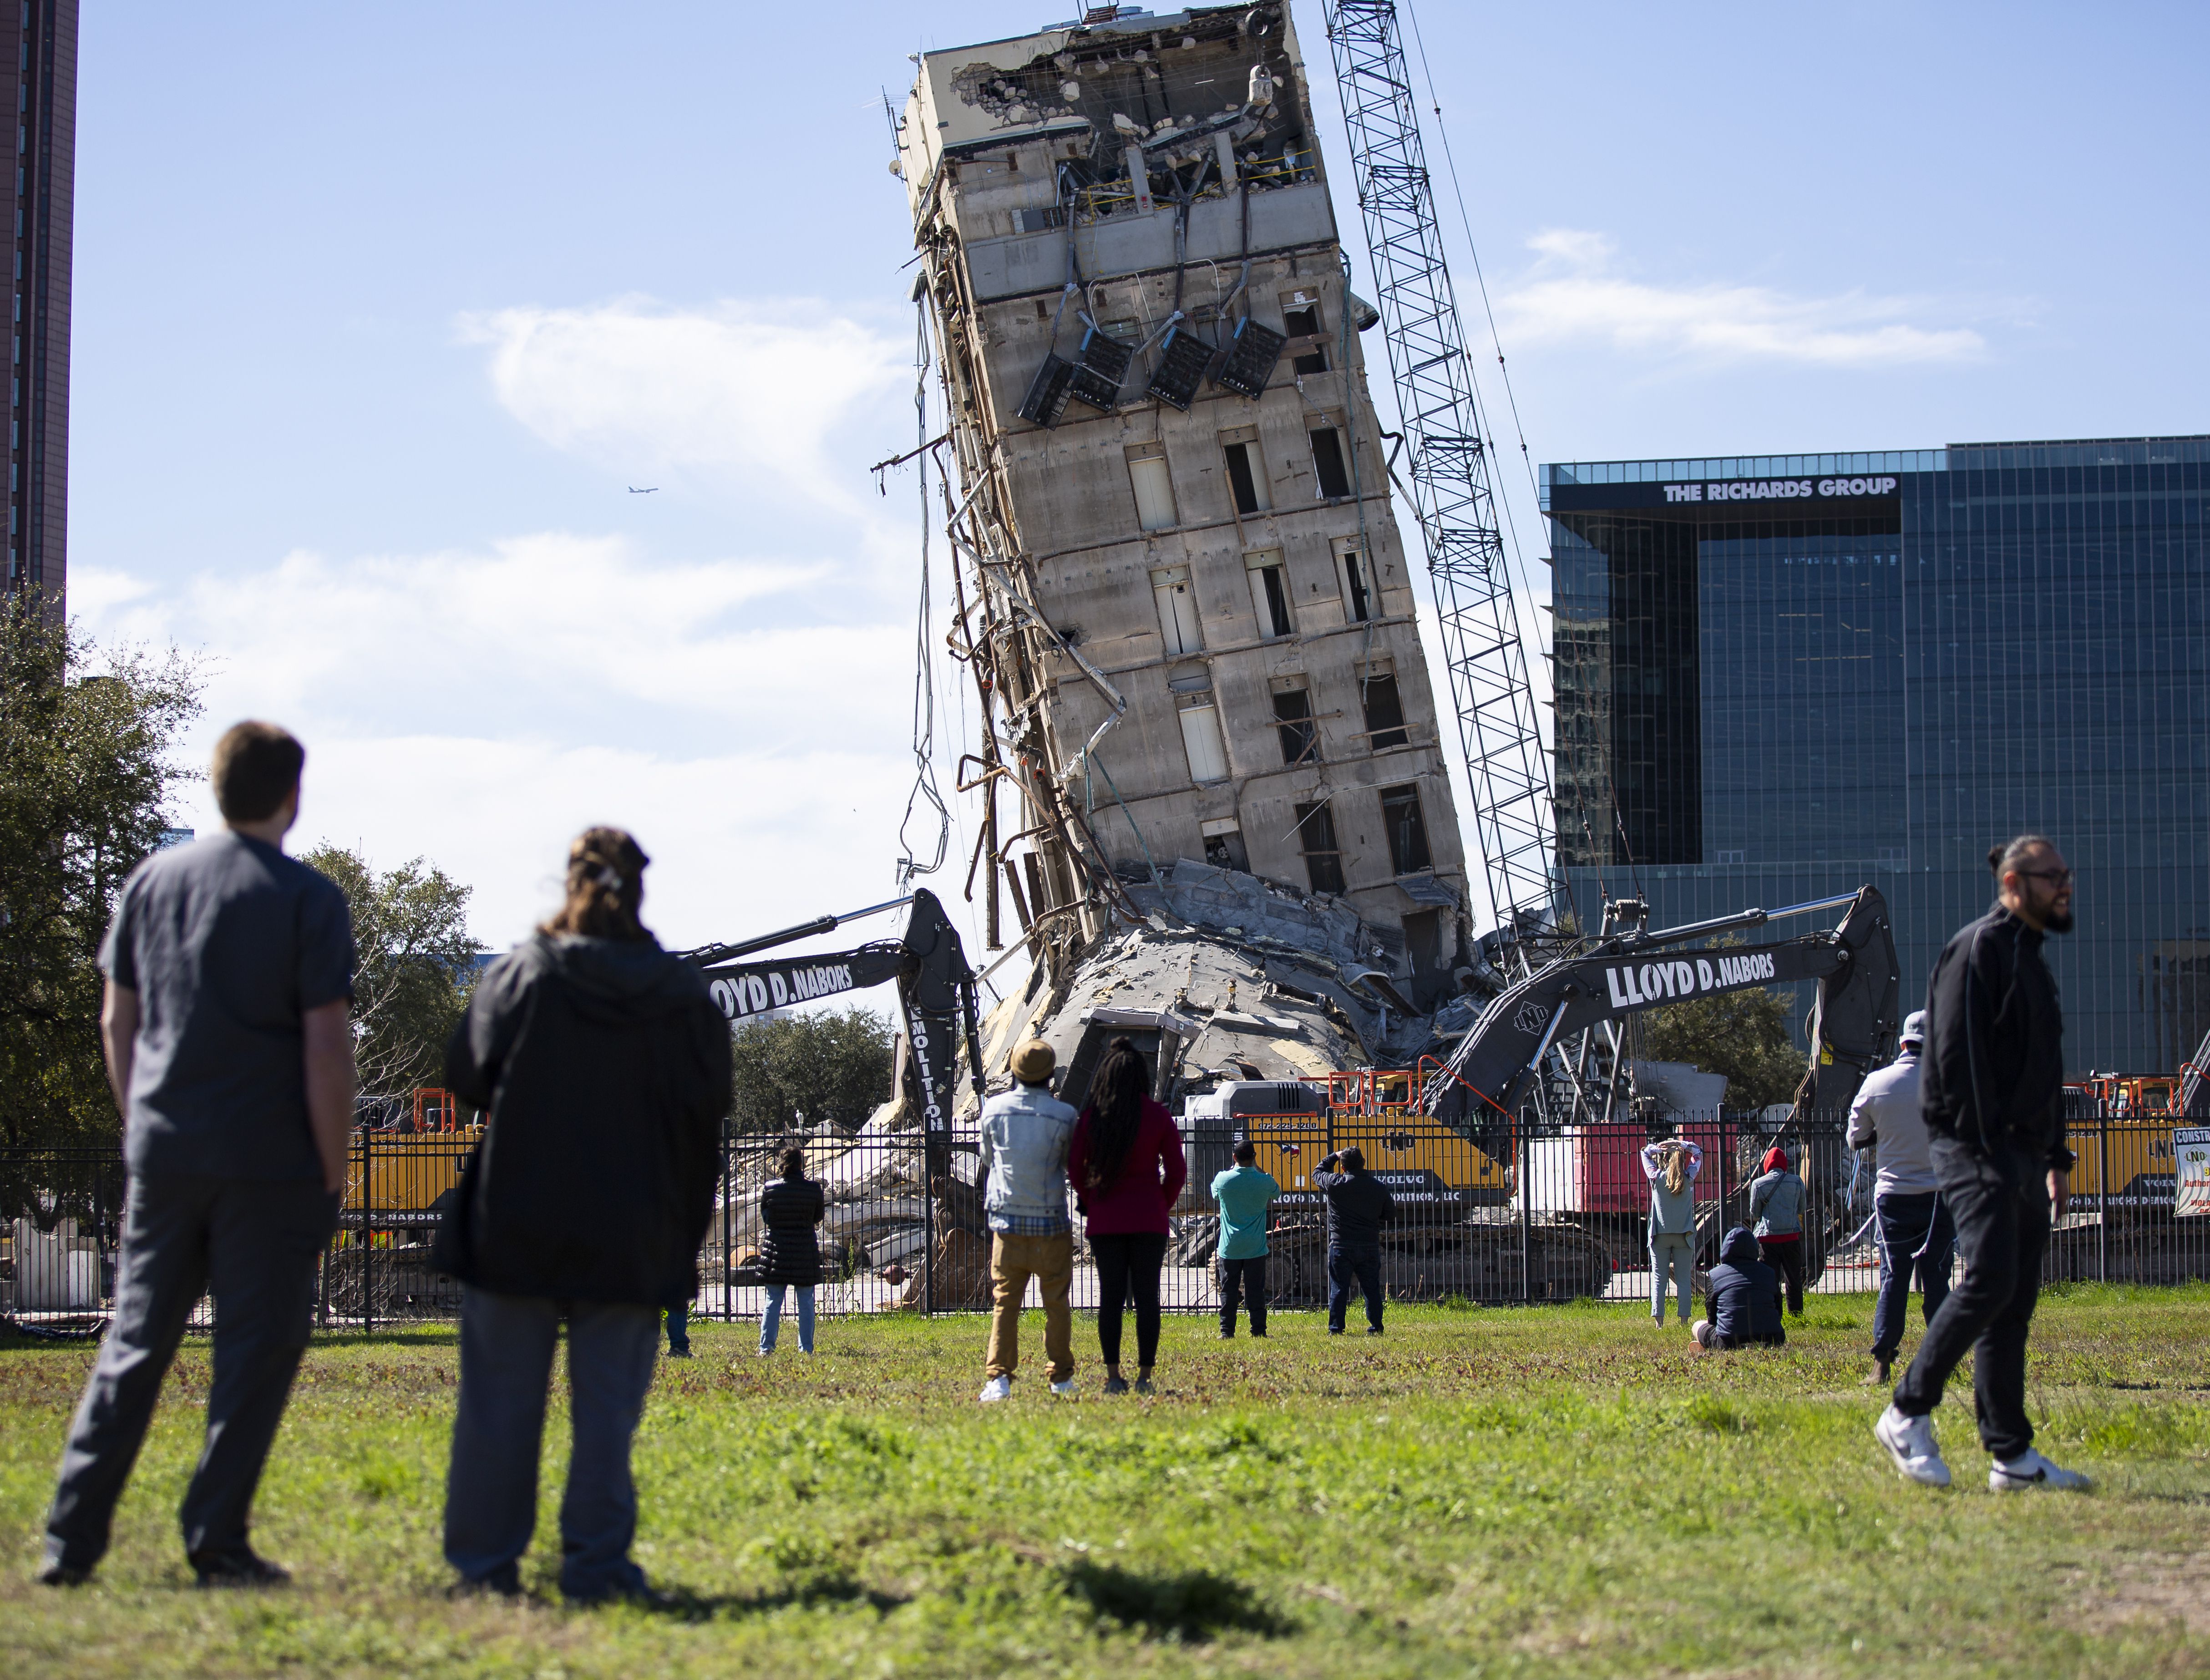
[1024, 1173]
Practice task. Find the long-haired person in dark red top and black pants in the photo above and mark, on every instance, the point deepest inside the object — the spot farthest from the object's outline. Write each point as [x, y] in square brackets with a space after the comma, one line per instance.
[1126, 1162]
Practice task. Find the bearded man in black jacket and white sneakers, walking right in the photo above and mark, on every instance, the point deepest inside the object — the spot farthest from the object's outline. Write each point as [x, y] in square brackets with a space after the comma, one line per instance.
[1990, 1091]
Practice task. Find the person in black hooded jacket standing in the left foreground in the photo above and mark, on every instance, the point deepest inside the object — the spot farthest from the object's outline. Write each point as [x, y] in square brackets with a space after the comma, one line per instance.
[604, 1069]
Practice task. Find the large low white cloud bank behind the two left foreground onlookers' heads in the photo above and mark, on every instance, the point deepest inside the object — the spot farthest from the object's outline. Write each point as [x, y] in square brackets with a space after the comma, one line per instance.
[481, 706]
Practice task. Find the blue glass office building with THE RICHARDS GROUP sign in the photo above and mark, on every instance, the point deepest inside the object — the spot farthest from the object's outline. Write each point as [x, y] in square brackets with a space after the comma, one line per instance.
[1787, 675]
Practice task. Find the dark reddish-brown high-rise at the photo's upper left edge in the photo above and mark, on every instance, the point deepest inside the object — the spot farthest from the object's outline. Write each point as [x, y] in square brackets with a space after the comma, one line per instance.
[41, 45]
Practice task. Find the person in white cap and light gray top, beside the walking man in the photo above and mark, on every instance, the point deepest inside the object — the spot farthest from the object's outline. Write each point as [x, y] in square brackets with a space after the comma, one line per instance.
[1915, 1228]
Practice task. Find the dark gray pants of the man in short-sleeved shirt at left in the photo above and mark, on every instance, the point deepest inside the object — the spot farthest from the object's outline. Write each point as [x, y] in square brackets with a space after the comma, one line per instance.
[255, 1243]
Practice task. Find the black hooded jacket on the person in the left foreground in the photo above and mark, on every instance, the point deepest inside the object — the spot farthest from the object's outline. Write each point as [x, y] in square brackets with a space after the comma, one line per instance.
[607, 1073]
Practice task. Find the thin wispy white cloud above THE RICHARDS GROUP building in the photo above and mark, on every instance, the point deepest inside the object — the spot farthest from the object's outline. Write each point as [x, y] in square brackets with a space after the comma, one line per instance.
[1575, 293]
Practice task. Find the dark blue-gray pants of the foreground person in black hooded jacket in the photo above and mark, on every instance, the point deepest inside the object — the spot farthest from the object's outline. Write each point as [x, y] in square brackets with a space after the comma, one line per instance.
[492, 1489]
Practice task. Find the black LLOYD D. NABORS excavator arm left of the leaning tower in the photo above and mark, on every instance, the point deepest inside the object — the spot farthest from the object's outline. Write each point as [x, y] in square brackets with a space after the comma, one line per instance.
[936, 994]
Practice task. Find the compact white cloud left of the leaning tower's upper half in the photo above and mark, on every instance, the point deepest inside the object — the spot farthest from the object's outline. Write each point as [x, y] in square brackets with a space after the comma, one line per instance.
[735, 392]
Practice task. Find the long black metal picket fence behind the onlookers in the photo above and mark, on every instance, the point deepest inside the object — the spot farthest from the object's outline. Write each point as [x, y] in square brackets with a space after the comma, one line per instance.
[1517, 1212]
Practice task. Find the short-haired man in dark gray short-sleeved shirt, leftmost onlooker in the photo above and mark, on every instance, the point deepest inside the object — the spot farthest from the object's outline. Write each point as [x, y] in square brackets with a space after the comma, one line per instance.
[231, 969]
